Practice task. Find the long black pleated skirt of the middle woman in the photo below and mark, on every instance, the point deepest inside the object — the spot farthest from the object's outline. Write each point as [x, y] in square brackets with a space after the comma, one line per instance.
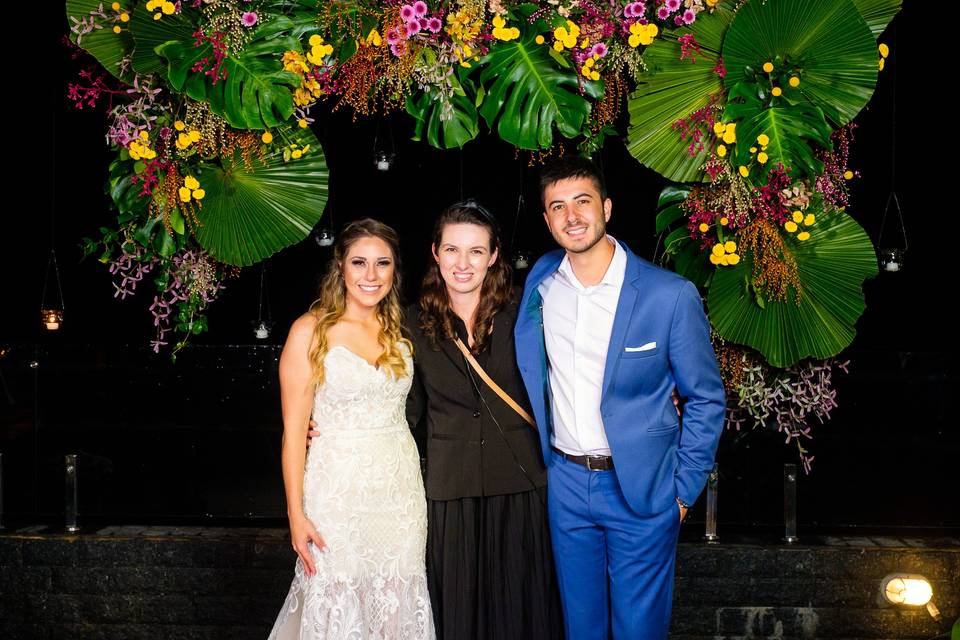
[490, 568]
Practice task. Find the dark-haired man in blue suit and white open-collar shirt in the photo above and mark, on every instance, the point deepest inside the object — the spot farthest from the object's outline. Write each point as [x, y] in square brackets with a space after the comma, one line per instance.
[604, 342]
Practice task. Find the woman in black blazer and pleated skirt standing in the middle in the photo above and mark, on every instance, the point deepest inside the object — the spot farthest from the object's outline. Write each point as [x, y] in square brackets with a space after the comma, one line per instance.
[489, 562]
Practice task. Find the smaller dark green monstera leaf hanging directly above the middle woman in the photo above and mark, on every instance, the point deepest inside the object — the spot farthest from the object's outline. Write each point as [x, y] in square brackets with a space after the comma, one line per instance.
[453, 132]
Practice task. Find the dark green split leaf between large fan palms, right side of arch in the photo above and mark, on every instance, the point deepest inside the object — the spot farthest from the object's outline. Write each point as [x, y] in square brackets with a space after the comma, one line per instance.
[790, 128]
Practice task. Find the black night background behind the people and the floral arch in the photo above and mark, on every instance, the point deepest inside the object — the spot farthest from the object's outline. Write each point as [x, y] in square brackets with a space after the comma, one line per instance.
[200, 439]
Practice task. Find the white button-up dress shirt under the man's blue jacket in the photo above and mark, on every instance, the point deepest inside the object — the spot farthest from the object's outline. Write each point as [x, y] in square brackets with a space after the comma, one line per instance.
[577, 322]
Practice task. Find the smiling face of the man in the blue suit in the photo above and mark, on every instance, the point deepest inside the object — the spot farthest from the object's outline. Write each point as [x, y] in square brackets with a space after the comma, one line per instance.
[575, 213]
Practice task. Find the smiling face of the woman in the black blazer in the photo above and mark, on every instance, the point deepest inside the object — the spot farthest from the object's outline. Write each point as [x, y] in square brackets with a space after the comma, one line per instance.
[464, 255]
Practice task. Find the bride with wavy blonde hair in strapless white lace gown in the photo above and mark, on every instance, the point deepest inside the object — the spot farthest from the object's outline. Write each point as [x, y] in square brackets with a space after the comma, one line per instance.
[356, 502]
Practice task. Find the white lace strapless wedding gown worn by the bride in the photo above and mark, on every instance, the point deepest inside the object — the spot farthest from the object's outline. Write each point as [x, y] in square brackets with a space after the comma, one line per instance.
[364, 493]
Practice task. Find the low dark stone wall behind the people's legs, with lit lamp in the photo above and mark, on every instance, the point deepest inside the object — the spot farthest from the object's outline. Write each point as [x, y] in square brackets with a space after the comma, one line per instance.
[134, 583]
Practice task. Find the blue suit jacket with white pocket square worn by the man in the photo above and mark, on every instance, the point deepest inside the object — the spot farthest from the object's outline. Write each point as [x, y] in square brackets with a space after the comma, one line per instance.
[655, 460]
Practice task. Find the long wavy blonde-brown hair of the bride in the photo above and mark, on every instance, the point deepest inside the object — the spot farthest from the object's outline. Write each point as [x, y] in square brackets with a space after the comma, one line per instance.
[332, 303]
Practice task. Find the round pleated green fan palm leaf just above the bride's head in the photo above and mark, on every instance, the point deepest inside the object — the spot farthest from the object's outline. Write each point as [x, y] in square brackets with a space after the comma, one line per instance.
[248, 215]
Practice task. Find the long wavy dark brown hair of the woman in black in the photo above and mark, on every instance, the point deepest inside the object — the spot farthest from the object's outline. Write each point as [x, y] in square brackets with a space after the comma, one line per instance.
[436, 316]
